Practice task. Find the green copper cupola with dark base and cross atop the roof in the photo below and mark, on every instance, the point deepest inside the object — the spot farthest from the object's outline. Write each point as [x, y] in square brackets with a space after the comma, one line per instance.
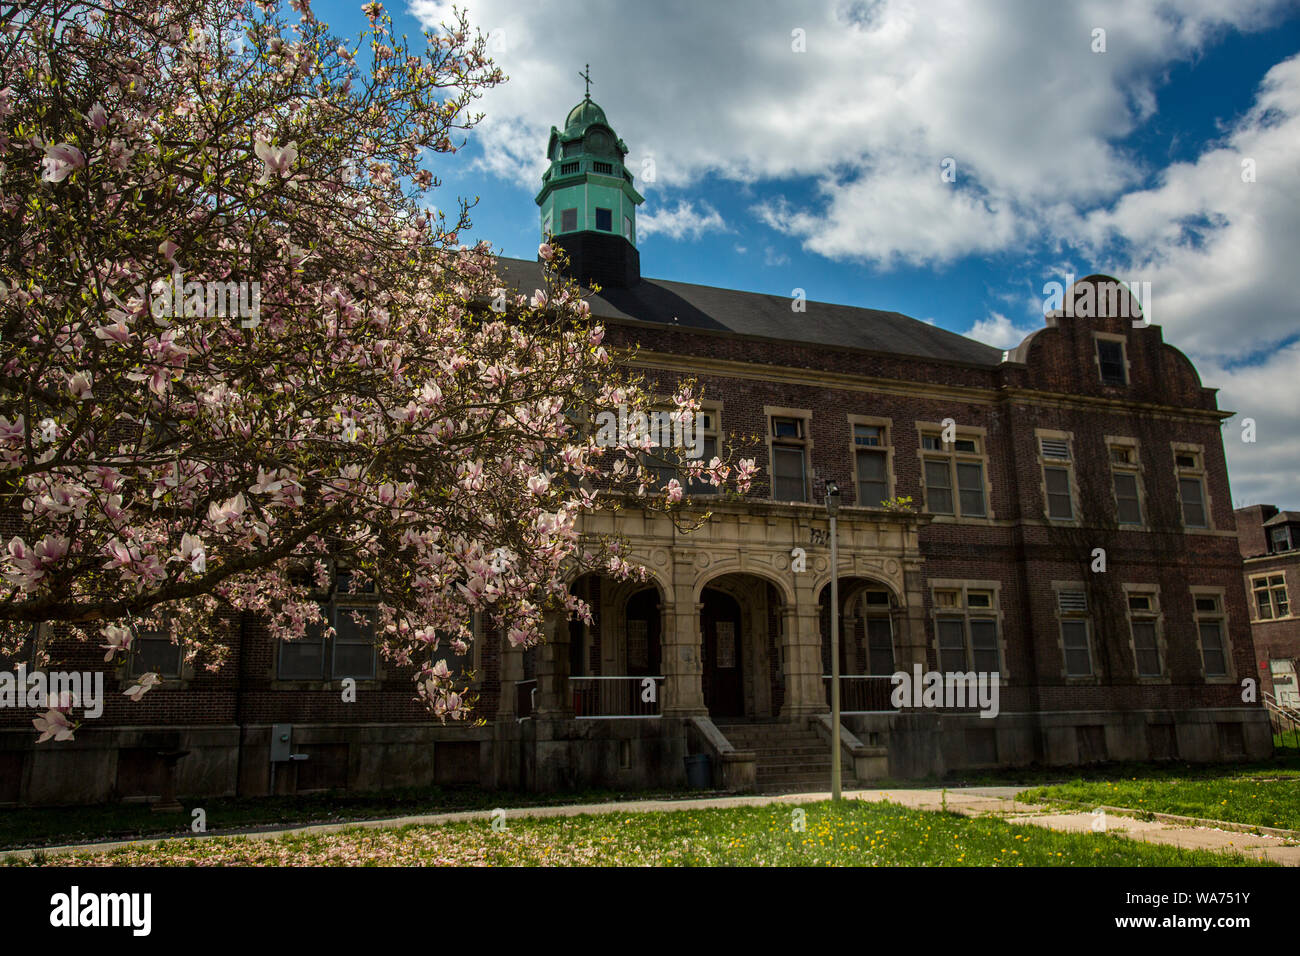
[588, 201]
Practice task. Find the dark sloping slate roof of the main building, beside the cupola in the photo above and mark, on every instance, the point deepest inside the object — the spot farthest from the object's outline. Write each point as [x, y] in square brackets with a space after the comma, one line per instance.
[769, 317]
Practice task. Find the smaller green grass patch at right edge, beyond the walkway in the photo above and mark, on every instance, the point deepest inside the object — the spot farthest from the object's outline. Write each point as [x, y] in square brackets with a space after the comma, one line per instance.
[1259, 799]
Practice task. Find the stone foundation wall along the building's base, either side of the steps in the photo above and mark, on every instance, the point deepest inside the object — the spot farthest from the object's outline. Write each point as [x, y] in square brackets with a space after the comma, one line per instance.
[124, 764]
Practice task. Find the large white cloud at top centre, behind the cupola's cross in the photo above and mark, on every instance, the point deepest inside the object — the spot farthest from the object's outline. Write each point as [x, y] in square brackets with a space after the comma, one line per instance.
[885, 93]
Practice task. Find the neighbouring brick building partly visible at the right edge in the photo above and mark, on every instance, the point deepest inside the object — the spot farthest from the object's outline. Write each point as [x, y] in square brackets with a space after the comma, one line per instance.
[1271, 555]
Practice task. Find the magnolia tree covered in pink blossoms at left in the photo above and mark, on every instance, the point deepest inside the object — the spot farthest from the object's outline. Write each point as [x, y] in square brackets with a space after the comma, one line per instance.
[240, 351]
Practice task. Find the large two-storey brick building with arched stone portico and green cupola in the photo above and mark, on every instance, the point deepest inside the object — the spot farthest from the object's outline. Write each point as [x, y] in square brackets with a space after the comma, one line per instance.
[1073, 533]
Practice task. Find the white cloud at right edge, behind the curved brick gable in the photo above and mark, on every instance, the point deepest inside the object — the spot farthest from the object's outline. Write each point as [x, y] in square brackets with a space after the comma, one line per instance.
[1221, 256]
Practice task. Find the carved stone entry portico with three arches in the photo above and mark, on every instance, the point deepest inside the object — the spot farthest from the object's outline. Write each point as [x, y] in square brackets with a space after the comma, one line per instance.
[735, 628]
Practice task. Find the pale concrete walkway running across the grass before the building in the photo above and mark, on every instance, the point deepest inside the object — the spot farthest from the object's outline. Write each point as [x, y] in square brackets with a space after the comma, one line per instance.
[1279, 846]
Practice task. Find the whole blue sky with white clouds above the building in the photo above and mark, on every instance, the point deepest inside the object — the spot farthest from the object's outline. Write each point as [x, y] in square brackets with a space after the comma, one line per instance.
[820, 168]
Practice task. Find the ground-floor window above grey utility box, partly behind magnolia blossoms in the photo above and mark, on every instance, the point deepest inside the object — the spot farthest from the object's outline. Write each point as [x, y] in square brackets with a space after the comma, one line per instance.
[349, 654]
